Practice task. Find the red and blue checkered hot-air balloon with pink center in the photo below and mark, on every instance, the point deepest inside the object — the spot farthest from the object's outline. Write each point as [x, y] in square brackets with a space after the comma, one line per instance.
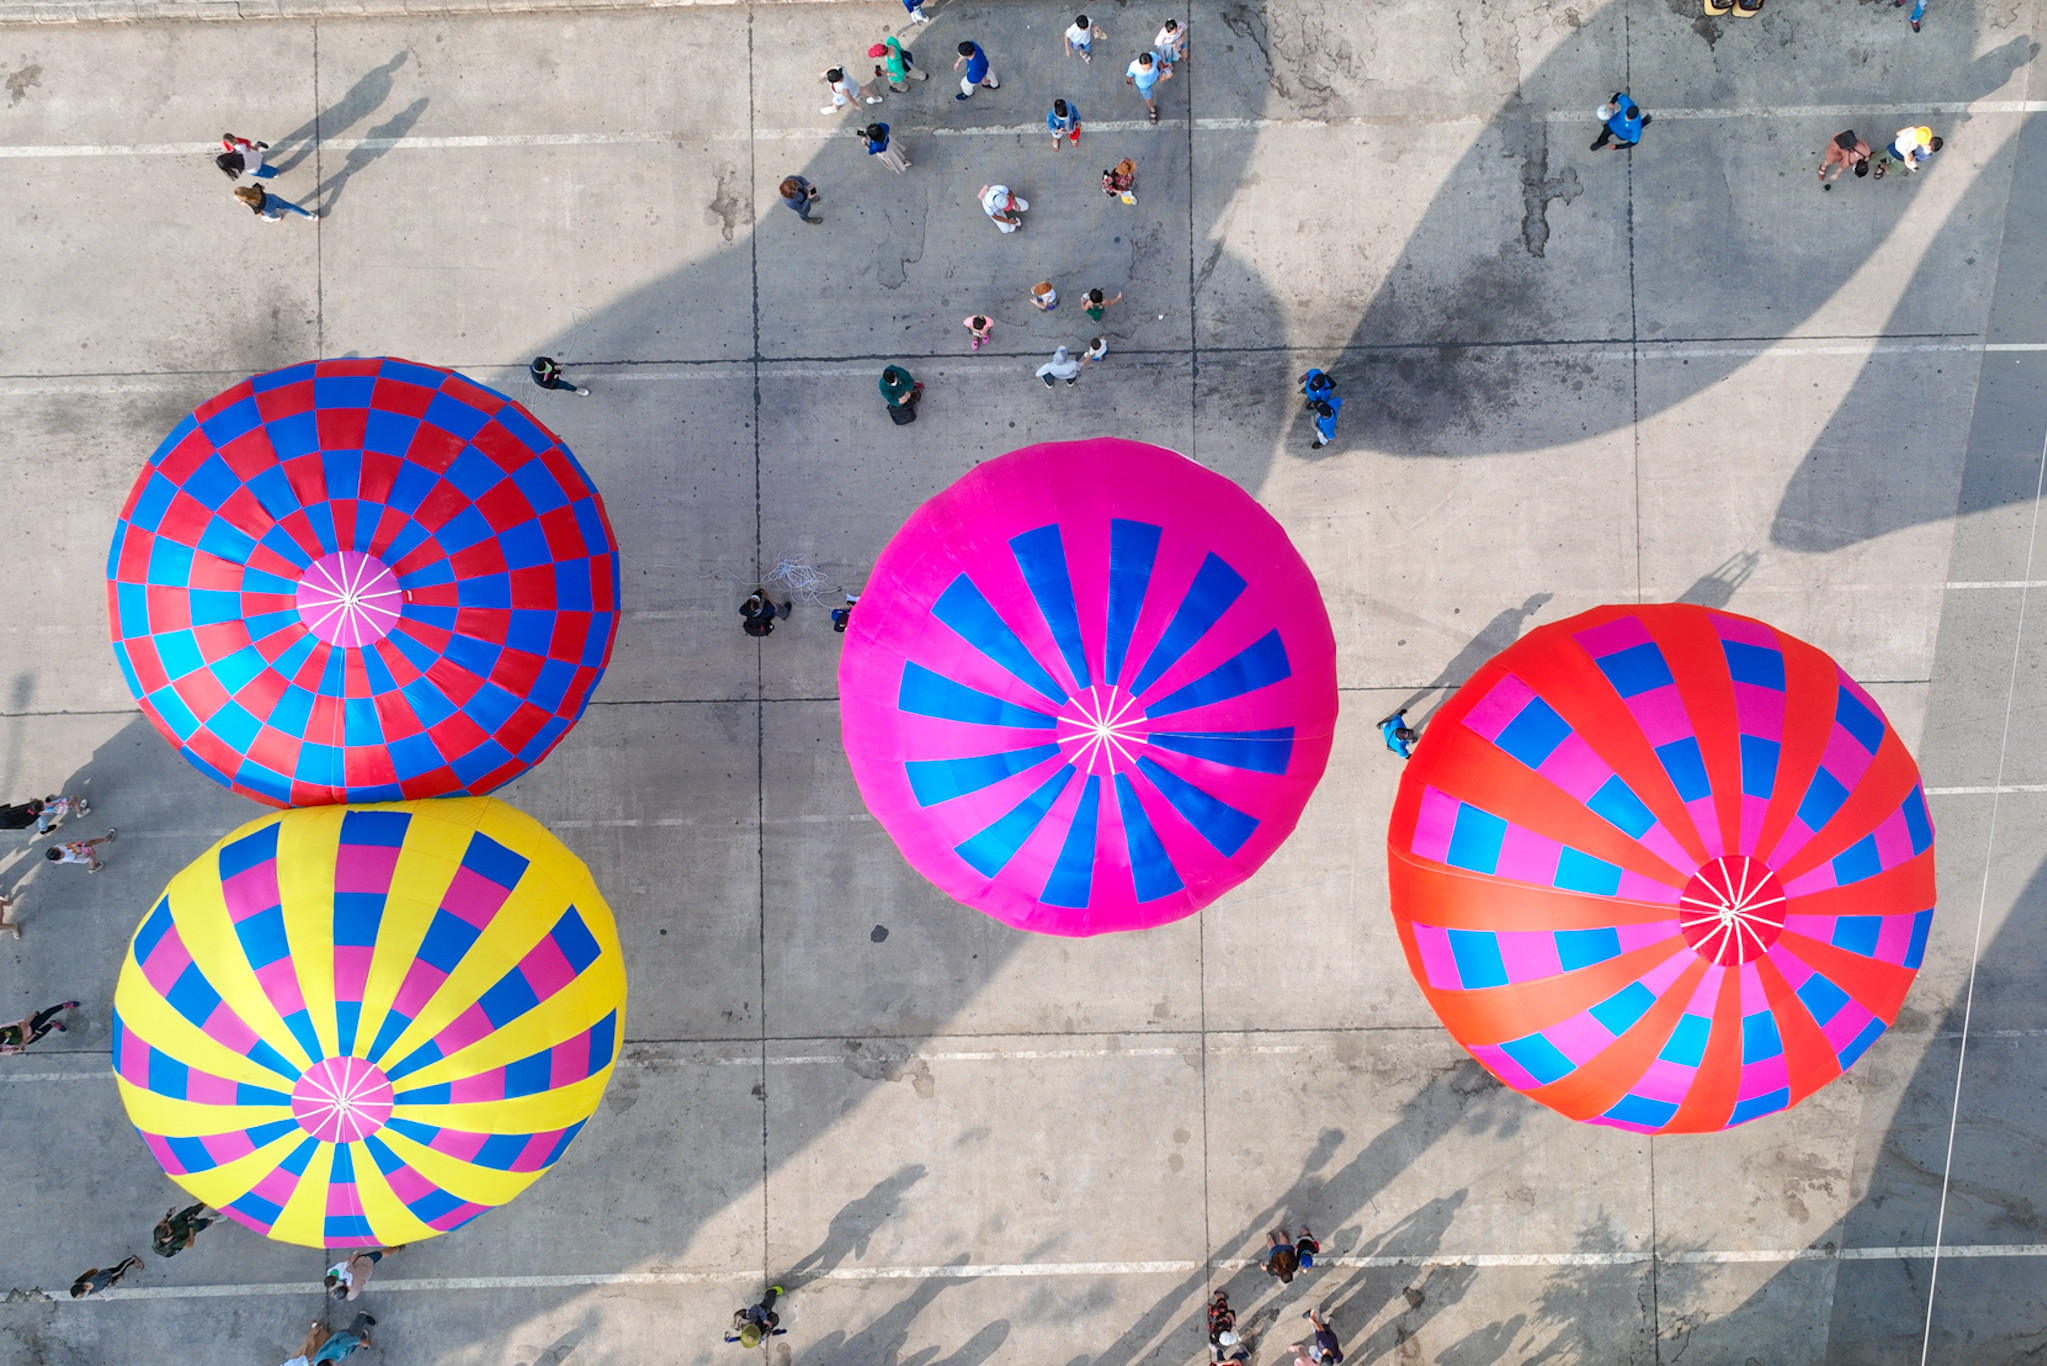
[363, 581]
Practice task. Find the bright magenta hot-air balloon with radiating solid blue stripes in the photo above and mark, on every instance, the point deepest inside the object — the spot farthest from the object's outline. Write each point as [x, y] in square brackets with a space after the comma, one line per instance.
[1090, 687]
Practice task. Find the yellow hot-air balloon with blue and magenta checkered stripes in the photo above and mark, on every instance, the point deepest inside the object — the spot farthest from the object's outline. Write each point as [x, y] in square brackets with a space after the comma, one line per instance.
[369, 1025]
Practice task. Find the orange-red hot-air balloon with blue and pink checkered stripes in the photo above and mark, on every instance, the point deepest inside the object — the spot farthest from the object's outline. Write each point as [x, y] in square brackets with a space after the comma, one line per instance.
[1663, 867]
